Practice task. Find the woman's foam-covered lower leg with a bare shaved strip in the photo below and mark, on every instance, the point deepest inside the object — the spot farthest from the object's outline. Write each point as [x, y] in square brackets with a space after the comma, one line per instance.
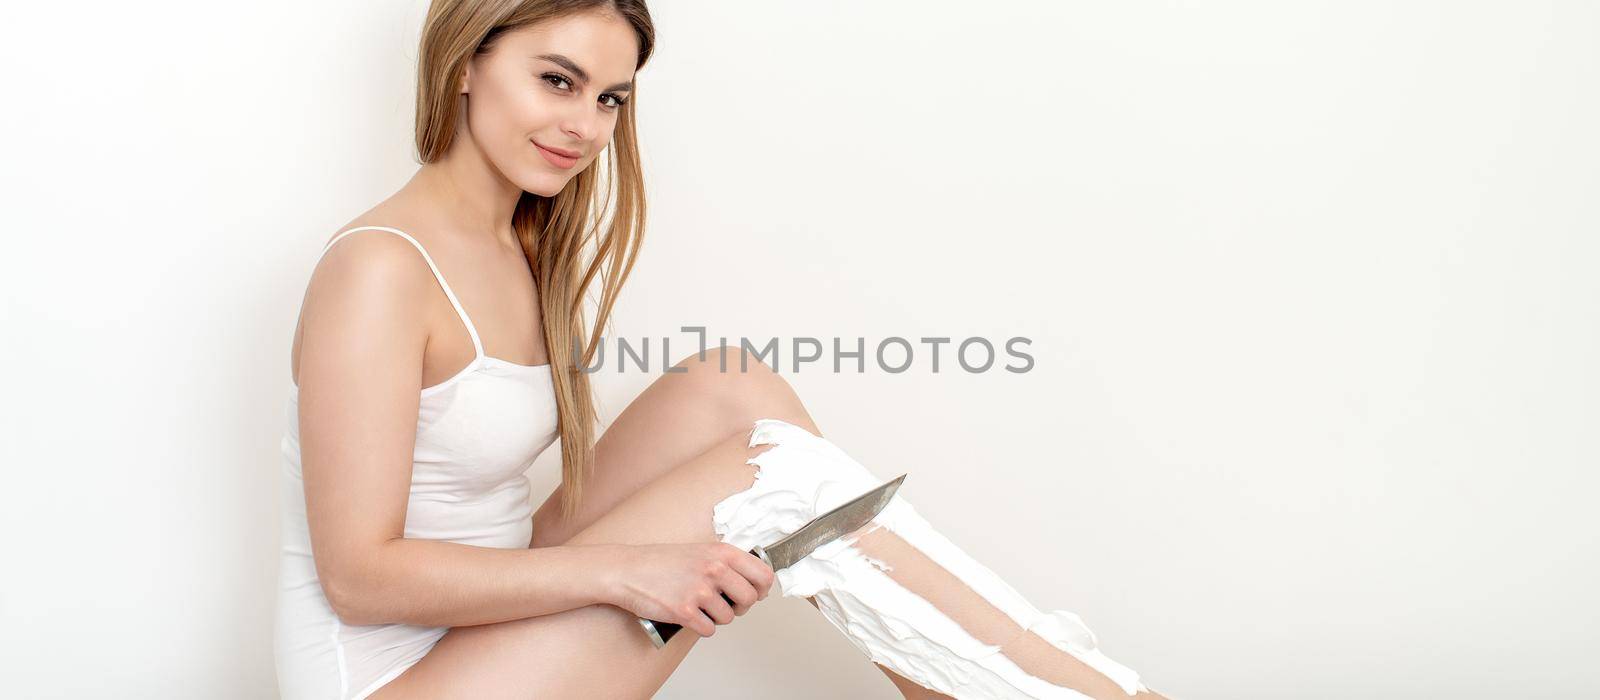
[906, 595]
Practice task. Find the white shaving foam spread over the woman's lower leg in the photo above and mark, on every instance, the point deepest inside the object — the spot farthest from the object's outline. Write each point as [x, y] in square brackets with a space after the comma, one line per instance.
[804, 477]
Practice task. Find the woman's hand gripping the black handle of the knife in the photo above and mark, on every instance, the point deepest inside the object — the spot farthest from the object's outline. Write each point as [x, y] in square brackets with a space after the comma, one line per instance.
[686, 583]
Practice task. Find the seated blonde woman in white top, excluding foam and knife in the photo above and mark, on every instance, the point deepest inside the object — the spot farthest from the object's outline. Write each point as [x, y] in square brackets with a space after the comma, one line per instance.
[428, 378]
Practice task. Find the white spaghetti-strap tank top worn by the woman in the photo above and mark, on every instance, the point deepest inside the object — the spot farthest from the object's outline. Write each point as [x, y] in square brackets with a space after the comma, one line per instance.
[476, 436]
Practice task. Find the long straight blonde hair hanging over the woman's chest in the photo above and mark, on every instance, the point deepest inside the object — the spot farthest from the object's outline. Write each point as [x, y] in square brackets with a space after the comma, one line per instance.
[554, 231]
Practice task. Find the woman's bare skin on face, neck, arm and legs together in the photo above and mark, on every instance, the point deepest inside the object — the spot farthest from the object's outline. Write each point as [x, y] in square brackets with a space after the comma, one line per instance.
[559, 618]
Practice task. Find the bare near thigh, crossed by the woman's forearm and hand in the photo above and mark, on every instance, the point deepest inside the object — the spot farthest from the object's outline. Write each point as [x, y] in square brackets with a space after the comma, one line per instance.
[596, 651]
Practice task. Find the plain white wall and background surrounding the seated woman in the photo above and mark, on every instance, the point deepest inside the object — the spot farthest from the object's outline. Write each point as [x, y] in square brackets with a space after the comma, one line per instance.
[1311, 290]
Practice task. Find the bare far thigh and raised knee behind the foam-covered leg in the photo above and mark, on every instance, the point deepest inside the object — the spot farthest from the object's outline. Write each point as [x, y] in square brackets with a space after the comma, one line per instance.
[679, 416]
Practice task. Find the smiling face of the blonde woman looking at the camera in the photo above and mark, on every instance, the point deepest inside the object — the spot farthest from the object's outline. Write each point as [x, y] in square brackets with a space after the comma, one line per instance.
[545, 101]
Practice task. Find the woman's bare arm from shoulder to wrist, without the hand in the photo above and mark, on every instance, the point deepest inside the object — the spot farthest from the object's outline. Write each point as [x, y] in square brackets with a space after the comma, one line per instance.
[361, 370]
